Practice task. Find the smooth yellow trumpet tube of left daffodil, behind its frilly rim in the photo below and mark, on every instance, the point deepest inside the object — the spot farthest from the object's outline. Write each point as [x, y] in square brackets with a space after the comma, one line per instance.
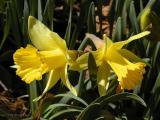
[53, 59]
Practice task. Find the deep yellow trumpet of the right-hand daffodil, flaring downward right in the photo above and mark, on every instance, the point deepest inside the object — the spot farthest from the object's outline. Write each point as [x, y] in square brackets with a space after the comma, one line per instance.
[129, 74]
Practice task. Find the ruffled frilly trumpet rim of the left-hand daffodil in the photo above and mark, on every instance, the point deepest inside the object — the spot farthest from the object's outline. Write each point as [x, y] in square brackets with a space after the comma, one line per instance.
[29, 65]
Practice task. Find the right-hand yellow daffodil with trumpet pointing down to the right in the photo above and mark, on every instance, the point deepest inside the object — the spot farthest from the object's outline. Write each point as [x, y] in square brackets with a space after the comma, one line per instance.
[111, 56]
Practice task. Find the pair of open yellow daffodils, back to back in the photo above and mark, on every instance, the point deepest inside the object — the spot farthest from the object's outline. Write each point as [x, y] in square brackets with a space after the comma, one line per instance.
[49, 54]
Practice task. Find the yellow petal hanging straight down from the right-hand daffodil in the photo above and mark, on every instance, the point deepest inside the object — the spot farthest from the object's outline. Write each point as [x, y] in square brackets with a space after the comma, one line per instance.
[102, 78]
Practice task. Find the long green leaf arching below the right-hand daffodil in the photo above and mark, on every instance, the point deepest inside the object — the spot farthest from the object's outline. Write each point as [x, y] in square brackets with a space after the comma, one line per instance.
[101, 102]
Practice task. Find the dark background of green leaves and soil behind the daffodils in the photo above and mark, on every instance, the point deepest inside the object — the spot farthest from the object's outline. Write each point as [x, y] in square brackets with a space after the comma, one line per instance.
[71, 19]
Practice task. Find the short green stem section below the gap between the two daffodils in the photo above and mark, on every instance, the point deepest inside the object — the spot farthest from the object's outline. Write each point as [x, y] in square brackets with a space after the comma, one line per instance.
[81, 83]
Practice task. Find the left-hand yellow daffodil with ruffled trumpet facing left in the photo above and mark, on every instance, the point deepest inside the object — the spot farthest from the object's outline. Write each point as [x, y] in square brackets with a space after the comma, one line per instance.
[49, 54]
